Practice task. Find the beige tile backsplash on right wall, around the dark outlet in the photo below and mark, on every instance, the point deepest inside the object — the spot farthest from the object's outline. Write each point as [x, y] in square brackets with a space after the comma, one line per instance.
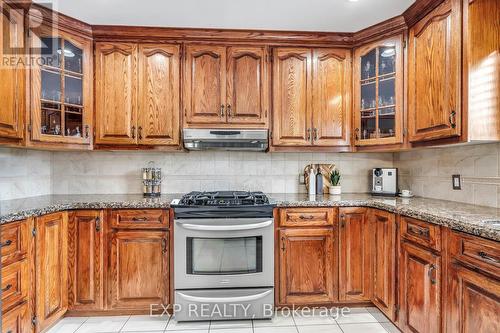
[428, 173]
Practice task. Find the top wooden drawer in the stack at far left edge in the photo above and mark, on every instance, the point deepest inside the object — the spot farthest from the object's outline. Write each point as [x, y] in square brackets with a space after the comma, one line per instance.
[14, 241]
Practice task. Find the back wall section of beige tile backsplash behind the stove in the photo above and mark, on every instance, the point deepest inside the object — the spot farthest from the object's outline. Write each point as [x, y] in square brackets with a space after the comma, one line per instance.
[119, 172]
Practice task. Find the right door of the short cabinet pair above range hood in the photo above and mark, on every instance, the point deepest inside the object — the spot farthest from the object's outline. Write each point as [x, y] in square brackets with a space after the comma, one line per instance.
[247, 86]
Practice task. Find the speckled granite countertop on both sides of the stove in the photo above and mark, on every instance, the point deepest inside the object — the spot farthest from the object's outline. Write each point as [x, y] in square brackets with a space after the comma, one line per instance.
[477, 220]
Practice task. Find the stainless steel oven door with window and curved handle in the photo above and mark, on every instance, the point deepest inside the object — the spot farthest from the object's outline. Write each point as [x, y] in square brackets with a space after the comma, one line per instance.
[223, 253]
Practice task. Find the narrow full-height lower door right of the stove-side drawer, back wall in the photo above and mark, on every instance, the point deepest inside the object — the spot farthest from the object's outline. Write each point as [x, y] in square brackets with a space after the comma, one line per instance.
[355, 255]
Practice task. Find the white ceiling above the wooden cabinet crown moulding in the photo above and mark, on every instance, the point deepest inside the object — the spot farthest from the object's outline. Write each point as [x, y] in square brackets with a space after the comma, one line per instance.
[308, 15]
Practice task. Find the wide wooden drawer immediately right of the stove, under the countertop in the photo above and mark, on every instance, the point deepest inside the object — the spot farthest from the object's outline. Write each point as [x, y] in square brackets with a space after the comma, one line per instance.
[307, 217]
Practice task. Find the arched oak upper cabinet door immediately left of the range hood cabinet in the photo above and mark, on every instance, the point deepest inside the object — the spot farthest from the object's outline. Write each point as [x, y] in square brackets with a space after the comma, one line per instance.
[159, 89]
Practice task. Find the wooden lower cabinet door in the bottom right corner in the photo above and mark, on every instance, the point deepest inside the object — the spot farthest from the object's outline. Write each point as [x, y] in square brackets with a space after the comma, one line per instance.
[473, 300]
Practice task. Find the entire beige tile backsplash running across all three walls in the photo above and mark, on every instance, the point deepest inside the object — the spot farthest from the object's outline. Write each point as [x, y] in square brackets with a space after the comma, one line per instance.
[427, 172]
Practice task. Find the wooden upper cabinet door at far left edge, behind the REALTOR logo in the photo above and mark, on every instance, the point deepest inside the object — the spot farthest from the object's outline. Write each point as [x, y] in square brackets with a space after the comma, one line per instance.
[12, 83]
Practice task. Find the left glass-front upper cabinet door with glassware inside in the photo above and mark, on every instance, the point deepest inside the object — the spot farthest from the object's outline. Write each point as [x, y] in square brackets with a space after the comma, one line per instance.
[61, 90]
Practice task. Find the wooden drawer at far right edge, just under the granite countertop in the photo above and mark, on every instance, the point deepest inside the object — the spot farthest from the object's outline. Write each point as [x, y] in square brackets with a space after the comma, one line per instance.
[478, 252]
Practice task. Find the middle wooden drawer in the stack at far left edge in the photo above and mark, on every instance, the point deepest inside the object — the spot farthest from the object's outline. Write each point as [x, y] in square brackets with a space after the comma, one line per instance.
[15, 282]
